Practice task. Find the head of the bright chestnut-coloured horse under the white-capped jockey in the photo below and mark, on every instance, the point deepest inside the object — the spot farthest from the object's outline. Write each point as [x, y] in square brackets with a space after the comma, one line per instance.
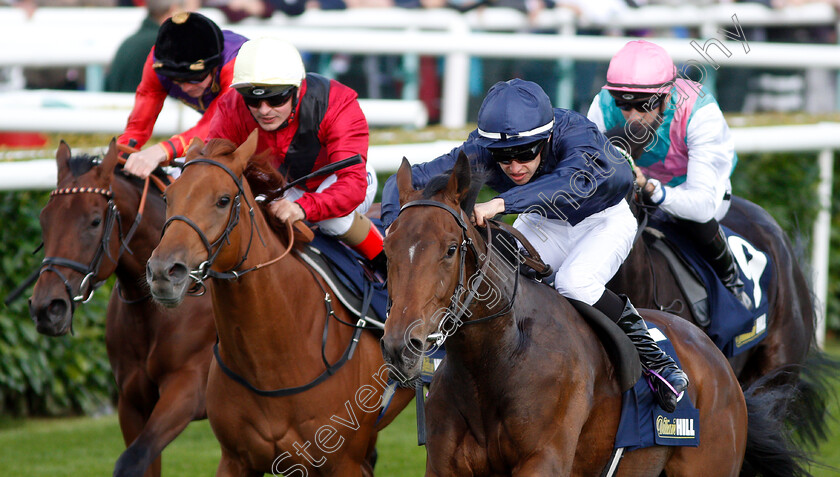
[203, 229]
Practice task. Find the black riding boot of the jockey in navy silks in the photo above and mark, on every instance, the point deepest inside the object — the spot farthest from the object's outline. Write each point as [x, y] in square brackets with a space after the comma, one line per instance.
[668, 380]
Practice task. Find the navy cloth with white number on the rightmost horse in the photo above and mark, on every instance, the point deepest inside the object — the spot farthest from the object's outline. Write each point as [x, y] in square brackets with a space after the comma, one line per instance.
[733, 328]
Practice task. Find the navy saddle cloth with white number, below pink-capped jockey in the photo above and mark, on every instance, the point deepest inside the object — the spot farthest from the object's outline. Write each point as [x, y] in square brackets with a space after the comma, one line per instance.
[732, 327]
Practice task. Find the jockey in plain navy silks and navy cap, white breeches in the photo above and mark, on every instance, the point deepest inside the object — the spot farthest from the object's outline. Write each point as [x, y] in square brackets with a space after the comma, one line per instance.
[551, 167]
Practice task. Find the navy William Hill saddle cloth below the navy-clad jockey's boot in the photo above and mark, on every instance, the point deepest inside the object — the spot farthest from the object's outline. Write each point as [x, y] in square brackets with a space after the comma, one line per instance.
[644, 424]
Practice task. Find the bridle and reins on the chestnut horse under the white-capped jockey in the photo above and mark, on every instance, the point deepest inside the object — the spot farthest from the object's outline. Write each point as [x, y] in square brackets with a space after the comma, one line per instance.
[213, 249]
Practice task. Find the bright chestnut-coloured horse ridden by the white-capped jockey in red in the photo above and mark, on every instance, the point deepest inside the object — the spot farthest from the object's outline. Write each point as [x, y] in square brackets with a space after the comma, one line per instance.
[276, 385]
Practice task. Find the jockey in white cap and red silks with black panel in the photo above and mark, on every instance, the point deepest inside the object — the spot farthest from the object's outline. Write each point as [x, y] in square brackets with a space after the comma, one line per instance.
[306, 121]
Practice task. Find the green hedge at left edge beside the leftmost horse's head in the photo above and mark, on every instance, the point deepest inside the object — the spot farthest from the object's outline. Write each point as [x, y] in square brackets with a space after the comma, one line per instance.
[38, 374]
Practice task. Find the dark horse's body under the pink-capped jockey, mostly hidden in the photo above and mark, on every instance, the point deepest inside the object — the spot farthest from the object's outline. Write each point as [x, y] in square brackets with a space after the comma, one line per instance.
[649, 282]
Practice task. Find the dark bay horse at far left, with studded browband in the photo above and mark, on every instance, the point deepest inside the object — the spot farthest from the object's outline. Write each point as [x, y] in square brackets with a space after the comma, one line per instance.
[159, 357]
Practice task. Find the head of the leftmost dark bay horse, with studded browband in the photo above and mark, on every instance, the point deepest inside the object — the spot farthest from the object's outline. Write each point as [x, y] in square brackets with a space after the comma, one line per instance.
[81, 241]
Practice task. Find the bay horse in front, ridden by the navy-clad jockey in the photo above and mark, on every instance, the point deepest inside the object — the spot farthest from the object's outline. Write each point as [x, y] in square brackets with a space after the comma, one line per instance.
[526, 387]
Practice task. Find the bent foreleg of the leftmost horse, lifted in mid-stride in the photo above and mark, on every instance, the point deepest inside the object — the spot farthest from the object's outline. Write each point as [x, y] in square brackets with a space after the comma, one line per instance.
[181, 401]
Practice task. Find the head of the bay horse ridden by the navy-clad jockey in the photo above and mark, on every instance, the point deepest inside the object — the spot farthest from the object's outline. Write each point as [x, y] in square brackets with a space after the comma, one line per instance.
[426, 249]
